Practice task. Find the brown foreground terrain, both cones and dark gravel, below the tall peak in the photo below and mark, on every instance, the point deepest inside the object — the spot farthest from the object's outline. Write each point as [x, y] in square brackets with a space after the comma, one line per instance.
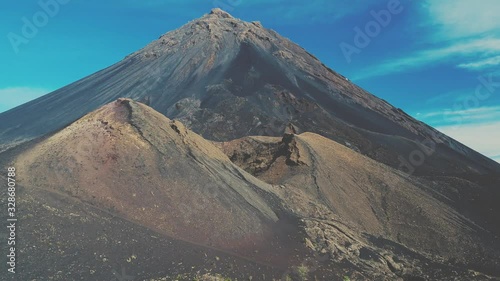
[125, 187]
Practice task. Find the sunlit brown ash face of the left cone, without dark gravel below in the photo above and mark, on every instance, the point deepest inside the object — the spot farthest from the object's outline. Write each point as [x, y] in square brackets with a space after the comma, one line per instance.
[129, 159]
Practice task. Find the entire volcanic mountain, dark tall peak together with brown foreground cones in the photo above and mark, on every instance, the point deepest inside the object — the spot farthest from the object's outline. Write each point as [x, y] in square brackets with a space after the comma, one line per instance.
[224, 149]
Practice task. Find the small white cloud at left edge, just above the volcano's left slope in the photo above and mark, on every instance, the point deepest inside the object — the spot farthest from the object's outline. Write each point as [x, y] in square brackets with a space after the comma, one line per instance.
[14, 96]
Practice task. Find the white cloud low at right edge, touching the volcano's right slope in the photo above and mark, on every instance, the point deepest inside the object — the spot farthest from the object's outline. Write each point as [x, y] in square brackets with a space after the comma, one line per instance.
[481, 137]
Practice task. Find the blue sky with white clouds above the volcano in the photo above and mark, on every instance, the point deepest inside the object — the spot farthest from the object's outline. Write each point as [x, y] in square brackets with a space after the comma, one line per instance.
[437, 60]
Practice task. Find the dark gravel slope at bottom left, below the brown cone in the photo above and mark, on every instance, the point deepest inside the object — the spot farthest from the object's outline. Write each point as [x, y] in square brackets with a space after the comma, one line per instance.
[62, 238]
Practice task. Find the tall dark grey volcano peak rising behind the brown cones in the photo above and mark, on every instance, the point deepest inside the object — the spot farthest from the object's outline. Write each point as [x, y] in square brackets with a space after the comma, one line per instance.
[225, 78]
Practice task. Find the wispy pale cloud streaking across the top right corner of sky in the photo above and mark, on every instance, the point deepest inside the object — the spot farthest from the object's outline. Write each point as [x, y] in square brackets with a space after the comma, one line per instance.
[462, 33]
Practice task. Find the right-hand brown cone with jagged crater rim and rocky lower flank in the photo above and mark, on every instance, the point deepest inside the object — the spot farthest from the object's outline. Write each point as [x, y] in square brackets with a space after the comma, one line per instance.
[350, 202]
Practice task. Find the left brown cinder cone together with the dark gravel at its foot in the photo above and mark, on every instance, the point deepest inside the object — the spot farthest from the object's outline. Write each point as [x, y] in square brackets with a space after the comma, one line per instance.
[124, 185]
